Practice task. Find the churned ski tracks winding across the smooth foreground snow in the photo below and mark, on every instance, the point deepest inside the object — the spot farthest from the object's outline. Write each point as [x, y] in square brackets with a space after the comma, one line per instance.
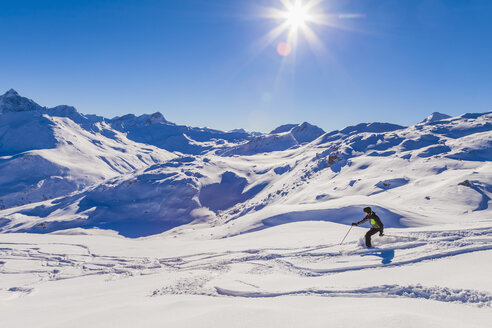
[200, 273]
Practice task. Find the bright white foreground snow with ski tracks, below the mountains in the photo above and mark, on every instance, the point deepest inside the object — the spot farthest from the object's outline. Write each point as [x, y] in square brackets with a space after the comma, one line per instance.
[285, 275]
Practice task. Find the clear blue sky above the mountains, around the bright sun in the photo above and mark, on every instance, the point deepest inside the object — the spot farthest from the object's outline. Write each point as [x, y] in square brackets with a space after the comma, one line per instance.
[203, 62]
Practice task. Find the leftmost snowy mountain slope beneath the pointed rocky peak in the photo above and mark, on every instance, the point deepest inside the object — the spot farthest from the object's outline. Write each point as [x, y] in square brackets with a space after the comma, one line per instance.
[50, 152]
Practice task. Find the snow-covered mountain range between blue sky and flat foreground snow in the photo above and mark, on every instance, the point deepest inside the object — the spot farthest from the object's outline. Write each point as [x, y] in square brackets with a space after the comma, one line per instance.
[61, 169]
